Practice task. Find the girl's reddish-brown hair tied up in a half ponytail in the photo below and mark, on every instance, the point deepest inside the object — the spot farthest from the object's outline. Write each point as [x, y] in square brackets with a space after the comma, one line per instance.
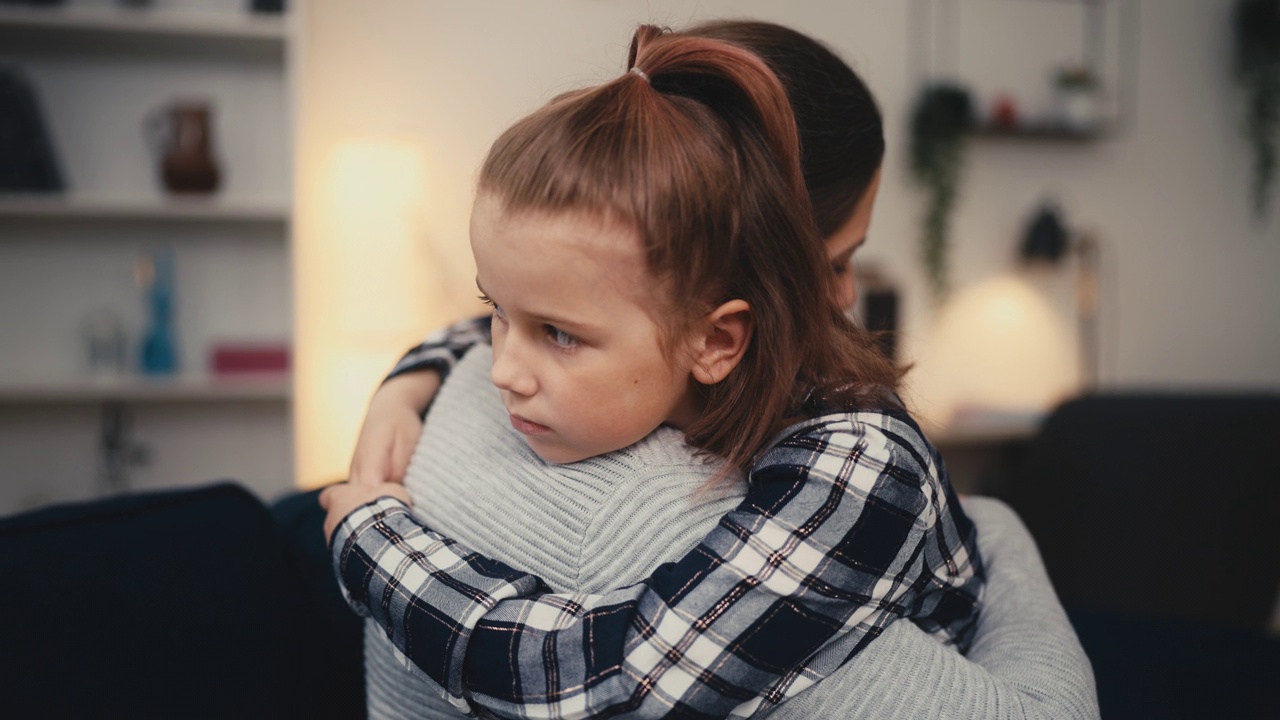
[696, 148]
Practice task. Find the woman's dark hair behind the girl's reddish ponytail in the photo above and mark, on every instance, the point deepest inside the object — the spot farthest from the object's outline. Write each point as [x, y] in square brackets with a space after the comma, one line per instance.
[842, 133]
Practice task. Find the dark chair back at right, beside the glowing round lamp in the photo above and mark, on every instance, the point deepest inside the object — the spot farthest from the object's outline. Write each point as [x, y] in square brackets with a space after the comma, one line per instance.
[1159, 504]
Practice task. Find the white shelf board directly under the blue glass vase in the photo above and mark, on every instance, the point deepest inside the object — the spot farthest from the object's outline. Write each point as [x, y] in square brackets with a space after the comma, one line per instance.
[180, 389]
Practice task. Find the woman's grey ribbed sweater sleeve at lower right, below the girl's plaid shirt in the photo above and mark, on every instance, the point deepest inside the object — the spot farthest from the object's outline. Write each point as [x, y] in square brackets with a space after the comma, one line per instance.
[1026, 663]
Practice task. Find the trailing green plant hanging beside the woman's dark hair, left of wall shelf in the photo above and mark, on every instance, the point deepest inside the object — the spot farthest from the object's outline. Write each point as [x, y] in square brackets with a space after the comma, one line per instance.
[940, 126]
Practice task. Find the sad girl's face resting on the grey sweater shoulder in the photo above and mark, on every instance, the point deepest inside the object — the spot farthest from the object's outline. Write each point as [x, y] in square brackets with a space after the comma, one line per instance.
[577, 353]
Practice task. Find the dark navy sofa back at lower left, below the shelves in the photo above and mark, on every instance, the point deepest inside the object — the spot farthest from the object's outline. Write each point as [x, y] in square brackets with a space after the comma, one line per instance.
[186, 604]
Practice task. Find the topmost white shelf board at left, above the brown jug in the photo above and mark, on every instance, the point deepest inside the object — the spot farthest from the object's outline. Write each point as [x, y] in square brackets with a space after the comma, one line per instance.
[147, 22]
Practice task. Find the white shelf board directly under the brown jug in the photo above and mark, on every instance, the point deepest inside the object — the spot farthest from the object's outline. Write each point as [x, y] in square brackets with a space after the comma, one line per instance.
[141, 208]
